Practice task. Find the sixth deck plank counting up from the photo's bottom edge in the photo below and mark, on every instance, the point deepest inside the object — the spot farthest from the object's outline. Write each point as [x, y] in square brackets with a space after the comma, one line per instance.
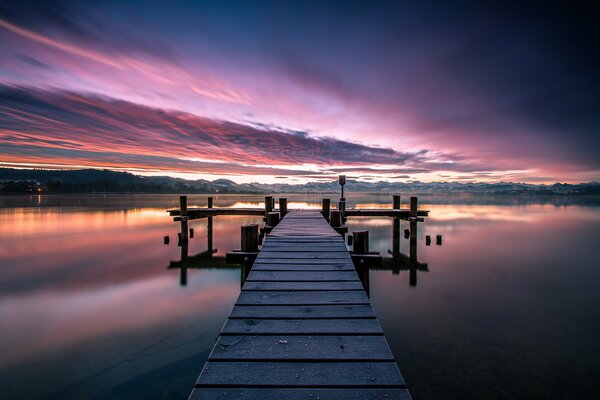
[302, 298]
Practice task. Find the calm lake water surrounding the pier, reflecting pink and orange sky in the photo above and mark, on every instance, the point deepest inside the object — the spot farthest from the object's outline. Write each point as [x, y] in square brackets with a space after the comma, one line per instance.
[509, 306]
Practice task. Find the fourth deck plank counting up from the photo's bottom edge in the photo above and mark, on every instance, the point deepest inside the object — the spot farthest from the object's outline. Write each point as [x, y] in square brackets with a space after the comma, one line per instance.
[302, 326]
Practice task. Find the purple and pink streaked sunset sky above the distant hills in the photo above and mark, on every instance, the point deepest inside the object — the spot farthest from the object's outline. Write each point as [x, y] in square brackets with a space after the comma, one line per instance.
[276, 91]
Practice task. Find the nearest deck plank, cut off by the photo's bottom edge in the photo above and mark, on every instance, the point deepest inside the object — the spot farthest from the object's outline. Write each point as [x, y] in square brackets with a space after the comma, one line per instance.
[227, 393]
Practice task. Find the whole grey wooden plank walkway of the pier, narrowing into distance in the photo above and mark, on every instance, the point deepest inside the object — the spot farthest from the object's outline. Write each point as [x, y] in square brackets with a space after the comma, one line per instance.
[302, 327]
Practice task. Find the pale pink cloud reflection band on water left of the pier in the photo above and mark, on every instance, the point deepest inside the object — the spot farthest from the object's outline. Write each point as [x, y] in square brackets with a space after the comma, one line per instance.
[54, 320]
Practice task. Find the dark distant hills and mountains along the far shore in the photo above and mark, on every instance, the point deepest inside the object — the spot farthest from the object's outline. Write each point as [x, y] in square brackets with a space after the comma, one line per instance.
[100, 181]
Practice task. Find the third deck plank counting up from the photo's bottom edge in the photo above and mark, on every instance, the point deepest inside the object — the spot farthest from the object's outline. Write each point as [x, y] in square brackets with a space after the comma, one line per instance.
[301, 348]
